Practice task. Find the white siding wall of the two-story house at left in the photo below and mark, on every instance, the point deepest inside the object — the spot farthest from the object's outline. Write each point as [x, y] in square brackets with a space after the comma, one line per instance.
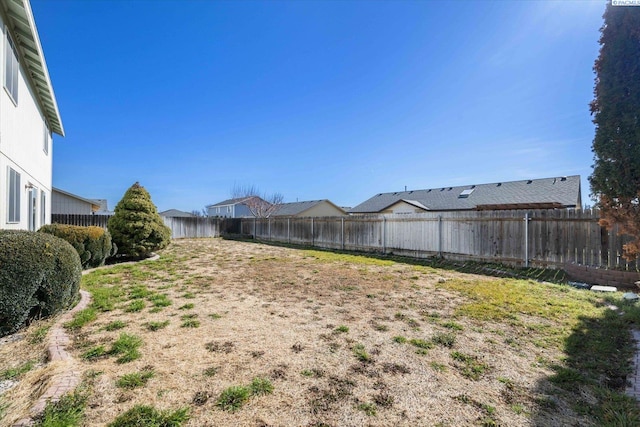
[22, 139]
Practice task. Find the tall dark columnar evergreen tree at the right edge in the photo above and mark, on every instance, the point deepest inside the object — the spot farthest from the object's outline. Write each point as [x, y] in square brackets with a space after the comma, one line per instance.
[615, 180]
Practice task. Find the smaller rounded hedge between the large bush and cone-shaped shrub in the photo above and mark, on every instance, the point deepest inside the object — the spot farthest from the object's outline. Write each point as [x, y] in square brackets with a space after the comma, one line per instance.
[93, 244]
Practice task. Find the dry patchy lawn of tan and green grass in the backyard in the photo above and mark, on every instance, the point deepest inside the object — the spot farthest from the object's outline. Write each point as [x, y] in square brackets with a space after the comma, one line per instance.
[229, 333]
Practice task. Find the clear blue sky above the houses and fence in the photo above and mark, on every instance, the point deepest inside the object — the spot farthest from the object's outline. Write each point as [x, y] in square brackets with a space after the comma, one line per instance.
[336, 100]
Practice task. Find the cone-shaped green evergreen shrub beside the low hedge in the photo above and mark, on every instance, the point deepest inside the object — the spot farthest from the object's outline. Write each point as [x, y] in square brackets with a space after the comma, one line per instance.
[136, 228]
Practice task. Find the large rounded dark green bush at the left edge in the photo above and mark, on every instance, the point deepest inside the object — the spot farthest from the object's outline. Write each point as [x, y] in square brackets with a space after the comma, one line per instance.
[39, 276]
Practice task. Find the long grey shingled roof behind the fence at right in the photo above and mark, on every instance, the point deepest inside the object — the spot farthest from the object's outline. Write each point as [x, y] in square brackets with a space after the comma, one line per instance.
[543, 193]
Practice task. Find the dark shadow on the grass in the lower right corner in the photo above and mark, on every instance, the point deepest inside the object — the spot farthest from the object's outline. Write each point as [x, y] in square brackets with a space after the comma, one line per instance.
[592, 380]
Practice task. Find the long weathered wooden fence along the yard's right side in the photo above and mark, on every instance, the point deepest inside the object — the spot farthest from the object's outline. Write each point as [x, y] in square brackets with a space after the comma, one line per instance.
[526, 238]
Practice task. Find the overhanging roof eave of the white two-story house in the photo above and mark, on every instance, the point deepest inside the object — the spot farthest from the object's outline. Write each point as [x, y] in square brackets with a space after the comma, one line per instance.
[27, 42]
